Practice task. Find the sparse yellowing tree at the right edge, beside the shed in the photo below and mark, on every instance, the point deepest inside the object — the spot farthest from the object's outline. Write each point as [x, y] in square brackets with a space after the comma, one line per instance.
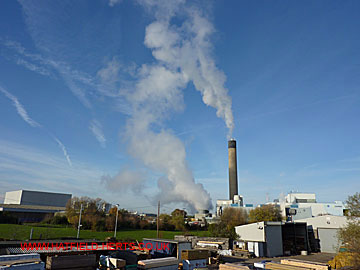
[349, 236]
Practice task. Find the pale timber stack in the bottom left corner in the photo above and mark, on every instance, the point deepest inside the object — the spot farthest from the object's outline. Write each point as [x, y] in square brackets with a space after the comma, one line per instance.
[21, 262]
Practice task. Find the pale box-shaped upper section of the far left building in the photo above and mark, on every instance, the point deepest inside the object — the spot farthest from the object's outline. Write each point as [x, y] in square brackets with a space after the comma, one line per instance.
[27, 197]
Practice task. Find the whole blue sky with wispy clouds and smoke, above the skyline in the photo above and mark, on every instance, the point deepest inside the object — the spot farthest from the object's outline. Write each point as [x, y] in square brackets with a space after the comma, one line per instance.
[134, 101]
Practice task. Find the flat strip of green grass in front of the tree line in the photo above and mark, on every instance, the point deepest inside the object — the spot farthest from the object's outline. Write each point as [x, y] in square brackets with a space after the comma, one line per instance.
[22, 232]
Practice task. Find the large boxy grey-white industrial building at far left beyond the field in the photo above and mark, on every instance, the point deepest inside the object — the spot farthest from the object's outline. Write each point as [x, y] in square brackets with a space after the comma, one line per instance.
[33, 206]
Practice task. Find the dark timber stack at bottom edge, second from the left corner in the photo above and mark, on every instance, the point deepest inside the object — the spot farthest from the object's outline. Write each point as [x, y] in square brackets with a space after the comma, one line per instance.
[76, 262]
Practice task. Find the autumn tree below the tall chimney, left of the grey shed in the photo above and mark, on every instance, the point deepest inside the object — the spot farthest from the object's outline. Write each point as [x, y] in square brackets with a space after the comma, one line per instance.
[230, 218]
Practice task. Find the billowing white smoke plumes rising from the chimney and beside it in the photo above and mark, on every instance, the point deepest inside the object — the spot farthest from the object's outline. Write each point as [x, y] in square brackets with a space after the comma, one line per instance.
[183, 54]
